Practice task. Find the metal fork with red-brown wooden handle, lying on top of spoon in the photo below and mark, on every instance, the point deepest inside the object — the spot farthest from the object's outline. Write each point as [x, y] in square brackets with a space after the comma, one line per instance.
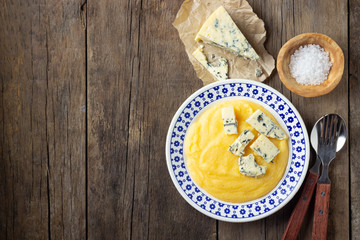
[329, 134]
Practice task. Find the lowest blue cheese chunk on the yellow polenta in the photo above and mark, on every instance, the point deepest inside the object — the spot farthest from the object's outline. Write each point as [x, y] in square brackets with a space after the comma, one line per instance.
[249, 167]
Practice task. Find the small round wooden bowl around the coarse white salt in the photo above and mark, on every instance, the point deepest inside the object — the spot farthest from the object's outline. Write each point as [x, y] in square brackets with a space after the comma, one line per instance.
[336, 71]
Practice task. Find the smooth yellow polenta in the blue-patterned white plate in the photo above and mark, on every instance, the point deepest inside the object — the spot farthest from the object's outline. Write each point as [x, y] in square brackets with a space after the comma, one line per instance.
[215, 169]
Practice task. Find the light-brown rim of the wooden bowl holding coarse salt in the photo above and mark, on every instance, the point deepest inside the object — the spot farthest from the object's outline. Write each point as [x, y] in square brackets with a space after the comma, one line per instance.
[301, 91]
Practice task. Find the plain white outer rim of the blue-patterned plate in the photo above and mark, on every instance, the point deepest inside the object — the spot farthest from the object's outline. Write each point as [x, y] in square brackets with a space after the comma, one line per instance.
[237, 220]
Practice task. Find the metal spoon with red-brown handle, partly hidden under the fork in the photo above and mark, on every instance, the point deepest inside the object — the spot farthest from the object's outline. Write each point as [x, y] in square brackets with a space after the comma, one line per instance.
[298, 214]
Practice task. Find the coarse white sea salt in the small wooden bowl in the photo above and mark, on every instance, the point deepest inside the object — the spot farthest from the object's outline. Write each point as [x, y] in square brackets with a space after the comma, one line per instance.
[310, 65]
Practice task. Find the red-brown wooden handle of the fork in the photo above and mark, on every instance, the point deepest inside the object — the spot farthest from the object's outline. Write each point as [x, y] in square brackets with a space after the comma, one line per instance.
[321, 211]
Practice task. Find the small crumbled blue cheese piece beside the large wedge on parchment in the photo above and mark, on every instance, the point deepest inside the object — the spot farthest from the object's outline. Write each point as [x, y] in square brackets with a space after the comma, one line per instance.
[219, 70]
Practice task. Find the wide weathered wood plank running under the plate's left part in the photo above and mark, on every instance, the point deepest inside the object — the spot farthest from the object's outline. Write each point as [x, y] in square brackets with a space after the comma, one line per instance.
[131, 71]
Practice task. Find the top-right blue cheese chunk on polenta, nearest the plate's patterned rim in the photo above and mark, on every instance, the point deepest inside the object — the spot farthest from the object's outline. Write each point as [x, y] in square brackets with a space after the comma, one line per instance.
[264, 125]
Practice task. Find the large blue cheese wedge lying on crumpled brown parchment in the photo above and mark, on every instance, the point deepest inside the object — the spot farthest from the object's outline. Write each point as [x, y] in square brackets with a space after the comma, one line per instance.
[220, 30]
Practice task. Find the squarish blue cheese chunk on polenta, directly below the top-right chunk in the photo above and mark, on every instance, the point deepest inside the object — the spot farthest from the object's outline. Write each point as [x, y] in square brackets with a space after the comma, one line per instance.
[265, 148]
